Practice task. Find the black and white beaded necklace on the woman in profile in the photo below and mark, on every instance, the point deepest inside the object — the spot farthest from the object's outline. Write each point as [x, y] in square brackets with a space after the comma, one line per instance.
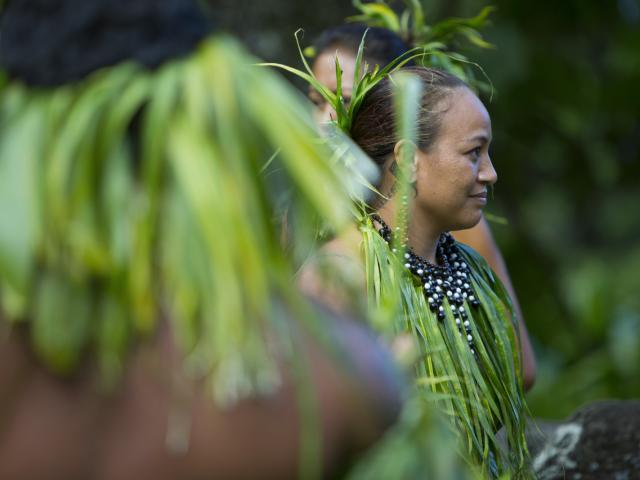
[450, 279]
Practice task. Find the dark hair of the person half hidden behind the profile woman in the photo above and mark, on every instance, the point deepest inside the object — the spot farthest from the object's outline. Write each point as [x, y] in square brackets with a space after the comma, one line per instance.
[381, 45]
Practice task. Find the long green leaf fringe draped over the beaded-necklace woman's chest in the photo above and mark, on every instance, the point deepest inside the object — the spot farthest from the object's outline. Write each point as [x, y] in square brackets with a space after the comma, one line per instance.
[479, 396]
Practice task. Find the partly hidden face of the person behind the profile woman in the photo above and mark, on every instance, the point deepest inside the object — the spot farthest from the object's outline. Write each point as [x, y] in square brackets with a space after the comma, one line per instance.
[324, 68]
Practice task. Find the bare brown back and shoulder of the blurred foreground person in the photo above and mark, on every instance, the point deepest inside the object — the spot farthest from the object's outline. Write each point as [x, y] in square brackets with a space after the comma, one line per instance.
[64, 428]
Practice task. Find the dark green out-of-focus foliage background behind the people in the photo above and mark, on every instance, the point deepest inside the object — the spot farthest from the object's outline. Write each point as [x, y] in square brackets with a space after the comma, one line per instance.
[566, 119]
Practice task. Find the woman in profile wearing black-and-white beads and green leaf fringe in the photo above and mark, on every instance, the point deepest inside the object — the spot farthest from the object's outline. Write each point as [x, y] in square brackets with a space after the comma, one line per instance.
[447, 293]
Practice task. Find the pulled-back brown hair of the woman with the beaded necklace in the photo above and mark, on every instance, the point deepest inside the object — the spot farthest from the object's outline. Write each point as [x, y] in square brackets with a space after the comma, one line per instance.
[373, 127]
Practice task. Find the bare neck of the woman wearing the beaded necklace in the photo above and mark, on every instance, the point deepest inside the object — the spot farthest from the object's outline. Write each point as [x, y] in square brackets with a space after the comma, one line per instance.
[422, 234]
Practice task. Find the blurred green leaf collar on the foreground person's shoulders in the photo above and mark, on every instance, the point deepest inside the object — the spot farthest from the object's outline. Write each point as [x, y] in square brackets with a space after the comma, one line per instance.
[135, 195]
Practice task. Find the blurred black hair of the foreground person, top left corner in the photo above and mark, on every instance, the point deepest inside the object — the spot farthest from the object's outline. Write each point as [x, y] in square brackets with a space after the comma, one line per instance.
[53, 42]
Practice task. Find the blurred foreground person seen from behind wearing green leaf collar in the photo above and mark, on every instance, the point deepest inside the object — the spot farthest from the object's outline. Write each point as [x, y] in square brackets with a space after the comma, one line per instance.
[149, 325]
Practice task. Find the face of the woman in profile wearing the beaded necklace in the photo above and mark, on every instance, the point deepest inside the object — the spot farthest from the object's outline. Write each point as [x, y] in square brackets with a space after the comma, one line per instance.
[453, 177]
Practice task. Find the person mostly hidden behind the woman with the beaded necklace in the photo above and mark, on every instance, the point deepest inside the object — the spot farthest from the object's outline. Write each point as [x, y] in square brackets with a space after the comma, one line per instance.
[381, 47]
